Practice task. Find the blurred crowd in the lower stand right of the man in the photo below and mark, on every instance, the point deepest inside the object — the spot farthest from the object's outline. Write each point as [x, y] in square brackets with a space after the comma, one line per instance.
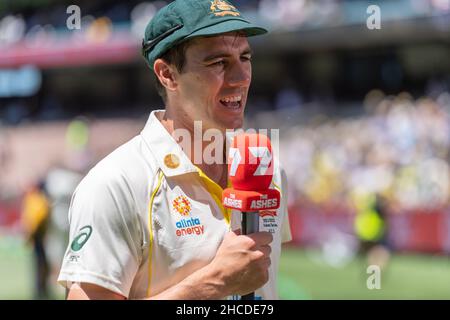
[398, 149]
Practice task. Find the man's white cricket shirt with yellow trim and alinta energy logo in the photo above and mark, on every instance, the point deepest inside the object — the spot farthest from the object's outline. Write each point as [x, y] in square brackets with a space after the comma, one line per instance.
[144, 218]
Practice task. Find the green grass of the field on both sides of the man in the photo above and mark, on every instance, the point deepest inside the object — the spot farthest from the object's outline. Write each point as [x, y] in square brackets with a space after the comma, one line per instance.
[303, 275]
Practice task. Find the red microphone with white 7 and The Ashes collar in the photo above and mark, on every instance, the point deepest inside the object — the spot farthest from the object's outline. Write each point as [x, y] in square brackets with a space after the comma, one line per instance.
[250, 169]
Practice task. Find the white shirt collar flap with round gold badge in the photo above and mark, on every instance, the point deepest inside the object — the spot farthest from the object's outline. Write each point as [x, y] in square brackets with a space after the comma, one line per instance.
[169, 155]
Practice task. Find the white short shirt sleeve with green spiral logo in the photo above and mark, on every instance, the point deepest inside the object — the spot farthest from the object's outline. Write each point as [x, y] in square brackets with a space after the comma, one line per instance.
[105, 237]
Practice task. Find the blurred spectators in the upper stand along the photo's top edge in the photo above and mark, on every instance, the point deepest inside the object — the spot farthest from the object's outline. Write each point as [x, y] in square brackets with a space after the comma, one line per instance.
[21, 22]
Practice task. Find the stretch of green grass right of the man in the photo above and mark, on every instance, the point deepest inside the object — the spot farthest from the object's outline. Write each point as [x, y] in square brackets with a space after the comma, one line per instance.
[303, 275]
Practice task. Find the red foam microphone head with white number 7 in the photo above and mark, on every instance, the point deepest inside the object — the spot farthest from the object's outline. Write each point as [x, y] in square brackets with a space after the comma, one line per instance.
[250, 162]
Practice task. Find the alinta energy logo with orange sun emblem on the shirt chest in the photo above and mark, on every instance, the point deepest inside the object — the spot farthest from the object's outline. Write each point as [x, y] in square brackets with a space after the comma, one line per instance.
[187, 225]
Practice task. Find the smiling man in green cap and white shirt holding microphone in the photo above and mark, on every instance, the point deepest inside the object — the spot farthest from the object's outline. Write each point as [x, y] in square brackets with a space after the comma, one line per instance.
[148, 223]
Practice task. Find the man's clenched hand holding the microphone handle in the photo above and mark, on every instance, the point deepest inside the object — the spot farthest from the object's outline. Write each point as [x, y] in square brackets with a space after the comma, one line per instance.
[242, 262]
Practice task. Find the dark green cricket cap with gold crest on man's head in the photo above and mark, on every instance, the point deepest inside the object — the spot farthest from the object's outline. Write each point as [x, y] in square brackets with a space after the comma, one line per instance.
[184, 19]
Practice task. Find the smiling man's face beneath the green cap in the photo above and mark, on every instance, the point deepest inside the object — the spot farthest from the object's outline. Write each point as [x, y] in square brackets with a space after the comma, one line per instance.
[214, 84]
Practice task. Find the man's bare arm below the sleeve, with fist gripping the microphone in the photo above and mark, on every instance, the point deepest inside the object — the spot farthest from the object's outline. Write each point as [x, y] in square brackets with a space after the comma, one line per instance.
[239, 267]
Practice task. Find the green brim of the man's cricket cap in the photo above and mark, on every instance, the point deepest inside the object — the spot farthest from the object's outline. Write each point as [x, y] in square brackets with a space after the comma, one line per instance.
[231, 25]
